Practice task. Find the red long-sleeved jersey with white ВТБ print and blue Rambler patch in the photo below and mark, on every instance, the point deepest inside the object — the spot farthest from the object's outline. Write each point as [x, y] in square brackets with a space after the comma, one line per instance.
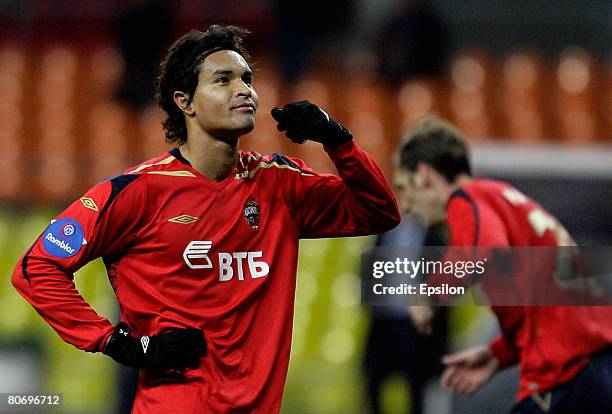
[182, 250]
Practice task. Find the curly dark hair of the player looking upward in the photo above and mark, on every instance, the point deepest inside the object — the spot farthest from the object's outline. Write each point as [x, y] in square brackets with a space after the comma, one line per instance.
[179, 70]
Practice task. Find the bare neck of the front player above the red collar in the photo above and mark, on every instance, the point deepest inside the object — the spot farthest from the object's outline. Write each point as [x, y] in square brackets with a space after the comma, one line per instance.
[214, 158]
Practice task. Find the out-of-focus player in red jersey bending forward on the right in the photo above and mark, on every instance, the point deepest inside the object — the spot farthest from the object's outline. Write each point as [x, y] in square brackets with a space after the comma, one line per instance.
[564, 353]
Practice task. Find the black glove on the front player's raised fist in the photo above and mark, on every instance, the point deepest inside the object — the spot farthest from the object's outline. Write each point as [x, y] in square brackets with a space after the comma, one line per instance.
[303, 120]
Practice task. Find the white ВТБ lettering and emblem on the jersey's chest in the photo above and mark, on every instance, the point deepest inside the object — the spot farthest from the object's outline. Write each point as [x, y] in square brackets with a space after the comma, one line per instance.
[196, 257]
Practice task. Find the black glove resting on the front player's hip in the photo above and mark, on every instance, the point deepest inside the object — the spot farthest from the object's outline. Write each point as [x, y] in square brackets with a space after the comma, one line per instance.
[176, 348]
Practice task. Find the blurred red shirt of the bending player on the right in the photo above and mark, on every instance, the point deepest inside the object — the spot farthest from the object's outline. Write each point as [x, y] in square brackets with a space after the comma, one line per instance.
[551, 343]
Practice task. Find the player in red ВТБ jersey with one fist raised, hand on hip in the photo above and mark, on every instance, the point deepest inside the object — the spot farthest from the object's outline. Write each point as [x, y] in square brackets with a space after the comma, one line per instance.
[201, 243]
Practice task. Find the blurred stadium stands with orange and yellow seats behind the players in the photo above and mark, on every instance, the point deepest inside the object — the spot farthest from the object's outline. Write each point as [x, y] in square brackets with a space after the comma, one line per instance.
[529, 83]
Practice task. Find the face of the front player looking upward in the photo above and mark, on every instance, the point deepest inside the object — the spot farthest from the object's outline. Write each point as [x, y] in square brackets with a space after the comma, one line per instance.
[224, 100]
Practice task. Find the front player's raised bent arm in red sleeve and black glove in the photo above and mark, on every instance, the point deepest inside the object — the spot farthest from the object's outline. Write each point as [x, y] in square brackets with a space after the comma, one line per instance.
[356, 202]
